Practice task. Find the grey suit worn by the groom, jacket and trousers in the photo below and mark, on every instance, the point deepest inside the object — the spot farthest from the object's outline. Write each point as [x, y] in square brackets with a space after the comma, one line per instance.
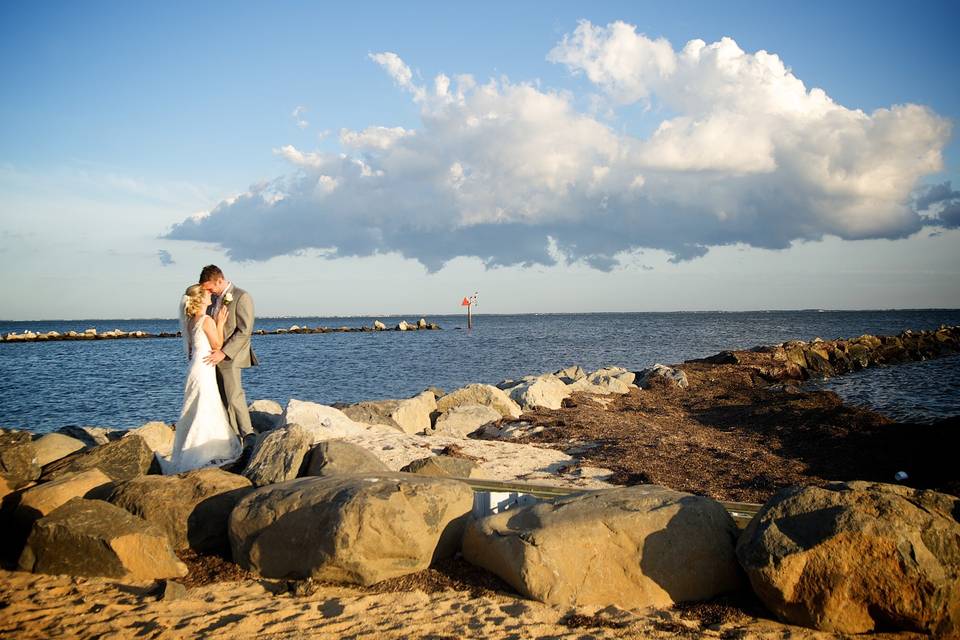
[240, 356]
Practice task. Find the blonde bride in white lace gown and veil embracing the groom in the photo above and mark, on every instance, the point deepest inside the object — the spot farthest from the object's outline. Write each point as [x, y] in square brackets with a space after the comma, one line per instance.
[203, 433]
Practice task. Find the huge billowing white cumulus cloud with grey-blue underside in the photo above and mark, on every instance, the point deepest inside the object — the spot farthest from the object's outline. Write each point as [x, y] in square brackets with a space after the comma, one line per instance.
[748, 155]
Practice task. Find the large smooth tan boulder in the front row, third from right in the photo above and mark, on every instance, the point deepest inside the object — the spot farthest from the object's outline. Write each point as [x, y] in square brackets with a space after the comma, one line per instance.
[355, 529]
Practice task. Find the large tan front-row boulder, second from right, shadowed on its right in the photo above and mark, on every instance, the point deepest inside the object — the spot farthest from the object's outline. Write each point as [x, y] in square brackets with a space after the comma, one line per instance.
[634, 547]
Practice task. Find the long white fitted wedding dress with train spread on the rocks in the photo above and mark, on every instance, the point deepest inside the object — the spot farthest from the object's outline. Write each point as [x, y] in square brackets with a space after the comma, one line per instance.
[203, 437]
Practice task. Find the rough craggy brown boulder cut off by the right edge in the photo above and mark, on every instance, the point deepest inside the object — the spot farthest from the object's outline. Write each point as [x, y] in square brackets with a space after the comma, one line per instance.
[854, 557]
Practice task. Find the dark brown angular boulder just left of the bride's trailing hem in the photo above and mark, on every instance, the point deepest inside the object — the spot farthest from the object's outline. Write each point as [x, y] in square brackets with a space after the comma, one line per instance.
[122, 459]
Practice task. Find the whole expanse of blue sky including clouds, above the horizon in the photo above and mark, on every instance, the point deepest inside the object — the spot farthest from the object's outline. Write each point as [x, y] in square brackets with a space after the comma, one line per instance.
[120, 121]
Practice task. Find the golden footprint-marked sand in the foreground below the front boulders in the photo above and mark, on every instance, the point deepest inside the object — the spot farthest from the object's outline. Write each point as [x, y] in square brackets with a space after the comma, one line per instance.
[36, 606]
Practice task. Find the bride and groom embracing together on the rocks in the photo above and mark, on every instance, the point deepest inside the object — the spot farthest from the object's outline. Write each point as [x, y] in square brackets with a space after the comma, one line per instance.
[216, 322]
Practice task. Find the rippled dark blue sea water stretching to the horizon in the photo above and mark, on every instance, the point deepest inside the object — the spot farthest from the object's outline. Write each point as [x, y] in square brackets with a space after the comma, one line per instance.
[124, 383]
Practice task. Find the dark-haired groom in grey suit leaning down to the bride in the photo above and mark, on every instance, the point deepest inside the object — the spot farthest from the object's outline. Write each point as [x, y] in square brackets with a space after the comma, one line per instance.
[236, 353]
